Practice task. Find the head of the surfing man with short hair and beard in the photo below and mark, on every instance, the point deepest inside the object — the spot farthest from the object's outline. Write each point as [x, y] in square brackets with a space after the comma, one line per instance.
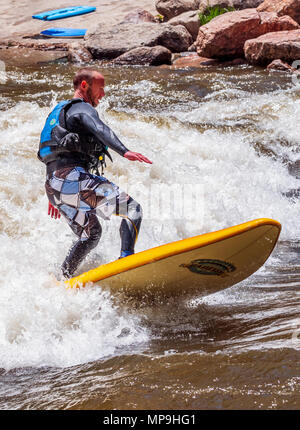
[89, 85]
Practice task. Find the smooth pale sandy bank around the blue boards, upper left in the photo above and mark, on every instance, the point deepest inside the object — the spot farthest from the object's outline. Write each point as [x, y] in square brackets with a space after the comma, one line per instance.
[21, 44]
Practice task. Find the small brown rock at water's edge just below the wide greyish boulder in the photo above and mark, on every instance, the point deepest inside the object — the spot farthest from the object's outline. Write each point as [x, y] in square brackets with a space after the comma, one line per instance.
[145, 56]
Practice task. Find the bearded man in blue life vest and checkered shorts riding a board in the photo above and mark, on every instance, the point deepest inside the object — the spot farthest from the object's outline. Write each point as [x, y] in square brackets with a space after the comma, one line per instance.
[74, 141]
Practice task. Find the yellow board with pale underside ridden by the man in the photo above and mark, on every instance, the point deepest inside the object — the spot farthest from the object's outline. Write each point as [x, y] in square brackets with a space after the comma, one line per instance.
[202, 264]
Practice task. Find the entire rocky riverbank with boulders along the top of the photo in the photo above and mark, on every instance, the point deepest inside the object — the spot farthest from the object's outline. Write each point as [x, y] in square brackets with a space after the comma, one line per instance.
[156, 33]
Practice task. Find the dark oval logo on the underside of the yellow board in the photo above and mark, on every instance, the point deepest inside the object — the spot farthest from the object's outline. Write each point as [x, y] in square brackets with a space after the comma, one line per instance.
[210, 267]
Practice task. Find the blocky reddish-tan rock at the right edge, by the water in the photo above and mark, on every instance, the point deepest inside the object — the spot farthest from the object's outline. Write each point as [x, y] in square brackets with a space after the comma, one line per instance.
[284, 45]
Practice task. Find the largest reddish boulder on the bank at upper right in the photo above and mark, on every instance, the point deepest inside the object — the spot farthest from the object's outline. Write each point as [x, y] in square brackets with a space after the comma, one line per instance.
[225, 36]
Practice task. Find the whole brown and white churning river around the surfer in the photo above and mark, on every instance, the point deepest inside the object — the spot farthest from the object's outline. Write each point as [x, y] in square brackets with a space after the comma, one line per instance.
[234, 133]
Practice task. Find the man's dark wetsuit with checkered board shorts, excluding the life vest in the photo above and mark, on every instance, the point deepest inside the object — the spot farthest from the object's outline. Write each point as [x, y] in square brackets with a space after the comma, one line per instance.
[77, 193]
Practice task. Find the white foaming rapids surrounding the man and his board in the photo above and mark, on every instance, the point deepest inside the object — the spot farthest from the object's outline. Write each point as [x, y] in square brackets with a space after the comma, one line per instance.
[42, 323]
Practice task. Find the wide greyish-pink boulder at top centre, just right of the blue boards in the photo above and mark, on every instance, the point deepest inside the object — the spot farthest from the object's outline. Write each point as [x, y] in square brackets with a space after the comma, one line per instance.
[109, 42]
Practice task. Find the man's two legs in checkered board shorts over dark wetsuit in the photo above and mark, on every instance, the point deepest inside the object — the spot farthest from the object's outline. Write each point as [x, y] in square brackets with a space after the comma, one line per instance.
[78, 194]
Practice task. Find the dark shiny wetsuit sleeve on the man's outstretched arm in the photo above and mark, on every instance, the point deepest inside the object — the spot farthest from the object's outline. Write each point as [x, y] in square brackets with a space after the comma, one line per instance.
[88, 122]
